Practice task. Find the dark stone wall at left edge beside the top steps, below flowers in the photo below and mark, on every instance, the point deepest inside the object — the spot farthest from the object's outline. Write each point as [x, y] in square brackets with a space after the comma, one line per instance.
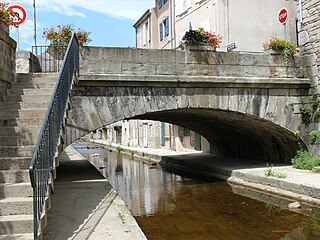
[7, 60]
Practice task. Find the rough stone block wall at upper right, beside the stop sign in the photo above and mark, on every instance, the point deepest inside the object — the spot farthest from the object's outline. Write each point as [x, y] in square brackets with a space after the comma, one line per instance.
[309, 37]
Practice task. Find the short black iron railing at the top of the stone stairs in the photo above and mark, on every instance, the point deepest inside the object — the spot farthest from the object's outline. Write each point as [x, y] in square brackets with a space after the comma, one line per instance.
[49, 58]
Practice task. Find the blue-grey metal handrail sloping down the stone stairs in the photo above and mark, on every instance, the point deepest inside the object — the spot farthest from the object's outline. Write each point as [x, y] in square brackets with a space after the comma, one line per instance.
[41, 166]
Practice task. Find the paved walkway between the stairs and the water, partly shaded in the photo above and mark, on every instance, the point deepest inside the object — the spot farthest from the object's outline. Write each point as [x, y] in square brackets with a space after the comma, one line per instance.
[85, 207]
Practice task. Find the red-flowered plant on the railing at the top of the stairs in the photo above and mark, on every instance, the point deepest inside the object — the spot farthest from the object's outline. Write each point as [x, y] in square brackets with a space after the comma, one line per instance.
[59, 38]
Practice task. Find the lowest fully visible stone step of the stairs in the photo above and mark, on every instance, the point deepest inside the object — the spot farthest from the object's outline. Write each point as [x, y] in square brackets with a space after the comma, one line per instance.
[16, 224]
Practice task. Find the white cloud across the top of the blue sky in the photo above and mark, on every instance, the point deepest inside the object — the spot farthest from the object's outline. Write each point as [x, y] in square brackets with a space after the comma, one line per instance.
[130, 9]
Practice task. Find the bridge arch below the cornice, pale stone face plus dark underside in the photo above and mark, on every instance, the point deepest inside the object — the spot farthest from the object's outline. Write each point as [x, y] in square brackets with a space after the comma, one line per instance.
[237, 122]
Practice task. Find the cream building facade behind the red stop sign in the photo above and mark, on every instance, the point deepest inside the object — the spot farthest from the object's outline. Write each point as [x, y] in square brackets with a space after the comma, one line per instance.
[247, 23]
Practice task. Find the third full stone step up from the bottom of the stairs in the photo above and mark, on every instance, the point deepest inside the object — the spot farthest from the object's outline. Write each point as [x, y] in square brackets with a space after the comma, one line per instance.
[14, 190]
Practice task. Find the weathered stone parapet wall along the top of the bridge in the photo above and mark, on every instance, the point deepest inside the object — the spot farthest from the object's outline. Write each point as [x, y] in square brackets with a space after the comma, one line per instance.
[188, 63]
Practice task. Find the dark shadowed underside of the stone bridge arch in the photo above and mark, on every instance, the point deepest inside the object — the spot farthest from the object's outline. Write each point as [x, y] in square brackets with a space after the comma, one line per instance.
[233, 134]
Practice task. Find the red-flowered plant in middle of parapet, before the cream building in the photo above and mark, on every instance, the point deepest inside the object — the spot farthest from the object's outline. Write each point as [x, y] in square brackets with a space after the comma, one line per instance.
[200, 37]
